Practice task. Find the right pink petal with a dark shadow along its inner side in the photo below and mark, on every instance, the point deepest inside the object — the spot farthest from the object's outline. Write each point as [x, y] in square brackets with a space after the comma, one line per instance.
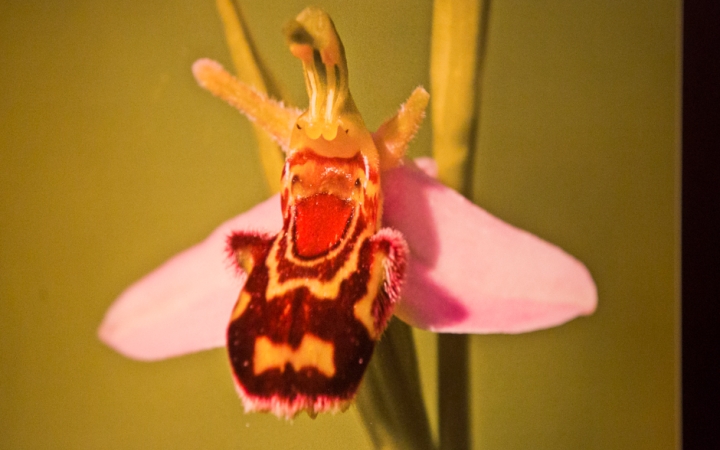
[470, 272]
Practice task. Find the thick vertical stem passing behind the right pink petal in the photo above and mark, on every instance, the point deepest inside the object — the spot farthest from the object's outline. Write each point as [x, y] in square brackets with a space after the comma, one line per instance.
[453, 80]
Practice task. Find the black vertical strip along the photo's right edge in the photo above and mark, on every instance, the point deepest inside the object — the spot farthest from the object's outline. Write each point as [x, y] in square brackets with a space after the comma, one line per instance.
[700, 228]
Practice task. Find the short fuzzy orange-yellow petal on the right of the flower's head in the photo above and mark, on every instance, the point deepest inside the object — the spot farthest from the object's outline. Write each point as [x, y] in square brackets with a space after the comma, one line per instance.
[394, 135]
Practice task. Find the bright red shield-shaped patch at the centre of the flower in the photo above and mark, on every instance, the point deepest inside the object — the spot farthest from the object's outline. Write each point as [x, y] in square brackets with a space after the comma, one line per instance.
[320, 222]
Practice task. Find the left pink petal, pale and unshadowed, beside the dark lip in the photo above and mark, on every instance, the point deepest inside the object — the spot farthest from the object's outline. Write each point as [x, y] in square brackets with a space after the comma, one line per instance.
[184, 305]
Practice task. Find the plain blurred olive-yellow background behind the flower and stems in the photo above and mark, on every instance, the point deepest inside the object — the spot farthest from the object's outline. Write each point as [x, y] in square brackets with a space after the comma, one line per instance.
[112, 160]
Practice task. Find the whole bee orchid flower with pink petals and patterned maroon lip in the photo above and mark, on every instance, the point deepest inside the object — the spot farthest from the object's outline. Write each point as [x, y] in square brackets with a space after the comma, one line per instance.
[436, 260]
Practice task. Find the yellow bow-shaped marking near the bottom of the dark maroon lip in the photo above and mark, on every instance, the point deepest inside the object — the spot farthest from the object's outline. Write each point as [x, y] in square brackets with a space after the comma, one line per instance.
[313, 352]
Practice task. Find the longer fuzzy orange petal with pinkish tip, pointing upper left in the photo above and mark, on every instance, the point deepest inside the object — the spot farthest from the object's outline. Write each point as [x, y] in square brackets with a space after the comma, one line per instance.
[273, 117]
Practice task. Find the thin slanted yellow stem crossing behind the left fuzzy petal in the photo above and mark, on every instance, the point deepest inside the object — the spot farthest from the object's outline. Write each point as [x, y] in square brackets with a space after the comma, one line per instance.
[248, 70]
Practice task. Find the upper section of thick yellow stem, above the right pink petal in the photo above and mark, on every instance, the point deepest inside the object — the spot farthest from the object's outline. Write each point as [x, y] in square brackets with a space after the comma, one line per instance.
[453, 62]
